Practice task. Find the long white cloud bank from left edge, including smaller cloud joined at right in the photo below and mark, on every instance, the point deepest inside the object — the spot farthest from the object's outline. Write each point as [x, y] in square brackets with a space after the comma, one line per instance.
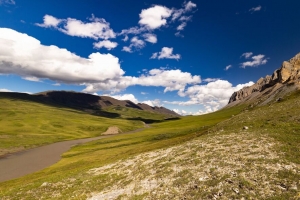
[20, 54]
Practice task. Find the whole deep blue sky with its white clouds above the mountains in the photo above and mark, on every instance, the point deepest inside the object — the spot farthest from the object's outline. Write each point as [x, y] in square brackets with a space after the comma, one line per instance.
[189, 56]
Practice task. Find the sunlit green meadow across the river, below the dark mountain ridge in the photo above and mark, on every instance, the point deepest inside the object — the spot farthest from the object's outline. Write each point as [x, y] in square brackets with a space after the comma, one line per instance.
[25, 124]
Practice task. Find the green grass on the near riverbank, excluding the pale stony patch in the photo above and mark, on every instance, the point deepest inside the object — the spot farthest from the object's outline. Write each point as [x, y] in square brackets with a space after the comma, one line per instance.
[278, 120]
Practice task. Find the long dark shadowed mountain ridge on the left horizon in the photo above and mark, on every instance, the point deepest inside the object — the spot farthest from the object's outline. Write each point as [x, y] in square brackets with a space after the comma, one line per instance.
[86, 102]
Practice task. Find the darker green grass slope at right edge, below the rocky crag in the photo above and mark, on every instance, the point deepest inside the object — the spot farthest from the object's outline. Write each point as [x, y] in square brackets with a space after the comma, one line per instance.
[279, 120]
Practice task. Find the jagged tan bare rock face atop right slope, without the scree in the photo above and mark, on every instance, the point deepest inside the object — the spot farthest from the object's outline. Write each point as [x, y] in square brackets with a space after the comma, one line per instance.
[288, 73]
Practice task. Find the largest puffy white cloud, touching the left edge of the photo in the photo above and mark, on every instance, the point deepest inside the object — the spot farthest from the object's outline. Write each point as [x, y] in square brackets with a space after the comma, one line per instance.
[21, 54]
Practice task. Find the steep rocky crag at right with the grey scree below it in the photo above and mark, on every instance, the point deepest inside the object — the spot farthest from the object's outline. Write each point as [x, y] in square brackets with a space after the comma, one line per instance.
[265, 90]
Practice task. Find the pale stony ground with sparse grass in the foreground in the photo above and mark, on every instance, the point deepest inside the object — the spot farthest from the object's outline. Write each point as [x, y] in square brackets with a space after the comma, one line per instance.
[217, 166]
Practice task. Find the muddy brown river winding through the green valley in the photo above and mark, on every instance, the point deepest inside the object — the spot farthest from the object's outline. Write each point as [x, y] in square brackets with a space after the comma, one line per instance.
[25, 162]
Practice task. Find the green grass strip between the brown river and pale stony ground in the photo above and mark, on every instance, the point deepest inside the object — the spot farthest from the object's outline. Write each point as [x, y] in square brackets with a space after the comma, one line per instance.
[79, 159]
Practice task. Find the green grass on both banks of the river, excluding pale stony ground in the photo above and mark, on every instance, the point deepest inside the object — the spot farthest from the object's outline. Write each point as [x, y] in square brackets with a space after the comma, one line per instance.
[28, 124]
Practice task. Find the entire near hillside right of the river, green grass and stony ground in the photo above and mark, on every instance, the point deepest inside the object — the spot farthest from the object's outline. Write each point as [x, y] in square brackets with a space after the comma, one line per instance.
[210, 156]
